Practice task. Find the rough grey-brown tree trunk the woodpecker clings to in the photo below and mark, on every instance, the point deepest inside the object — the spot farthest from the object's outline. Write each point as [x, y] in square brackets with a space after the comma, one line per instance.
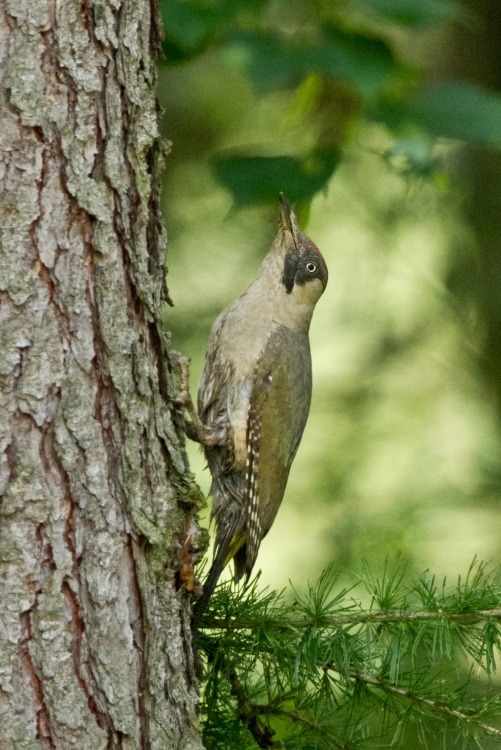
[96, 498]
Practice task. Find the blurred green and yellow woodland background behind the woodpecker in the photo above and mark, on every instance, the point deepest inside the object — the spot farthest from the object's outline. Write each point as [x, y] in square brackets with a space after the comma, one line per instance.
[381, 120]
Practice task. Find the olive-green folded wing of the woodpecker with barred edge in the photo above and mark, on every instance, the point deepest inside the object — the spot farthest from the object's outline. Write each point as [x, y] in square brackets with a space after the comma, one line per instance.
[278, 409]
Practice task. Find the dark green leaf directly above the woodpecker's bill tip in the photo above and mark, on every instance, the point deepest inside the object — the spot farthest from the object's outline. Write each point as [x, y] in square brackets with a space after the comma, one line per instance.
[259, 179]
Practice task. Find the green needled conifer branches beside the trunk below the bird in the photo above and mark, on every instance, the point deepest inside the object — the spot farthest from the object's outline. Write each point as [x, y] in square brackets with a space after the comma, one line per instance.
[305, 664]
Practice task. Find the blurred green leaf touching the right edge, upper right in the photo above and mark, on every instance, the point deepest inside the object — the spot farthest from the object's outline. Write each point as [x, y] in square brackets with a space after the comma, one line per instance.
[452, 109]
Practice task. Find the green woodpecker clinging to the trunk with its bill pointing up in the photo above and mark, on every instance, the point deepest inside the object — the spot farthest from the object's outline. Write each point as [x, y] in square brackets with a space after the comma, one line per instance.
[254, 397]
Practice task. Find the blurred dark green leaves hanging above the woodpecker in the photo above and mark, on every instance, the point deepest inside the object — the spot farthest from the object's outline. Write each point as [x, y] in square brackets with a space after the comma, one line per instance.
[348, 48]
